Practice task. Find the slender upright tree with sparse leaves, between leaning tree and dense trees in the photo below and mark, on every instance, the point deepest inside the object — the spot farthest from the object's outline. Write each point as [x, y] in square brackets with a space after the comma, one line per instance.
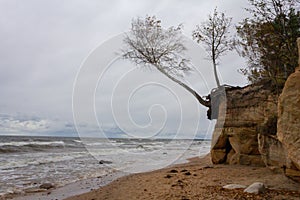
[214, 34]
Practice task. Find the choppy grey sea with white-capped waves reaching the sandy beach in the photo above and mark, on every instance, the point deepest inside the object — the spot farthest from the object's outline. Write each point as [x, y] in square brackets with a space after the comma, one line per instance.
[26, 162]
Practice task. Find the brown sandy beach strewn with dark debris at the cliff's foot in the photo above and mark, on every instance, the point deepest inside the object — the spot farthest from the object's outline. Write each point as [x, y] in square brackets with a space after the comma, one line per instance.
[198, 179]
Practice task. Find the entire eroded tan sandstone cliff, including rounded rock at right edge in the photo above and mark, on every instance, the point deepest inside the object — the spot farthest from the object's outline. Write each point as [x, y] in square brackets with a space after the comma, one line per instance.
[255, 127]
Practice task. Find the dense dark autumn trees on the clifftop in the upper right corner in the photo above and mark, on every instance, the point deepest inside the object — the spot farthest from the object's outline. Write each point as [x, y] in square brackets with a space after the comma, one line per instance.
[268, 40]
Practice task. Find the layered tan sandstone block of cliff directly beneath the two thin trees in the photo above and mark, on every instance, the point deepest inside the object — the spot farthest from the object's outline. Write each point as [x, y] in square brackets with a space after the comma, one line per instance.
[243, 113]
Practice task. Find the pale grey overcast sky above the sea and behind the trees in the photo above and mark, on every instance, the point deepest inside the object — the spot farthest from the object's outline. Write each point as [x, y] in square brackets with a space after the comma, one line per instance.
[47, 47]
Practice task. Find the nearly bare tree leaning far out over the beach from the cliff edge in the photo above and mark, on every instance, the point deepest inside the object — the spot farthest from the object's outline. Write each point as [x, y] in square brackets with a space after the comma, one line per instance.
[150, 45]
